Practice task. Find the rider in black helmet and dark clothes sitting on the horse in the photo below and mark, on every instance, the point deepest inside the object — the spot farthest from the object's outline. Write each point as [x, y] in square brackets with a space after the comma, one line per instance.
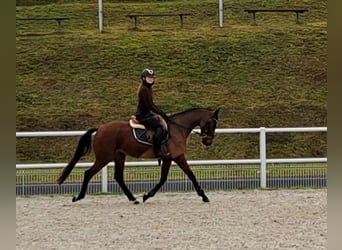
[146, 110]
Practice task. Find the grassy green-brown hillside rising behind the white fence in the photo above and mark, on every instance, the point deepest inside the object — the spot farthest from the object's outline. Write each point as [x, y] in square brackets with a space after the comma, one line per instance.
[272, 74]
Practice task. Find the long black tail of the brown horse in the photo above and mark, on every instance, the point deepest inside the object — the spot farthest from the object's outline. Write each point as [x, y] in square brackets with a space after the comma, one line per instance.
[83, 147]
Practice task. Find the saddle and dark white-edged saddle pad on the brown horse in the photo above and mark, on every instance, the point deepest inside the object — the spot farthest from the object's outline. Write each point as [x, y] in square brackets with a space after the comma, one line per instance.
[144, 135]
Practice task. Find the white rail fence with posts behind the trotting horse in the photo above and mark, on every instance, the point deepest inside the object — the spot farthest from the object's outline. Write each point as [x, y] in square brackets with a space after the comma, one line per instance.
[263, 160]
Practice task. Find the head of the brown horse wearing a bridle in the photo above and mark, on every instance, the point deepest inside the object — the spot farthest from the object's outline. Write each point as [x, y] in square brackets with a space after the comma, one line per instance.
[208, 127]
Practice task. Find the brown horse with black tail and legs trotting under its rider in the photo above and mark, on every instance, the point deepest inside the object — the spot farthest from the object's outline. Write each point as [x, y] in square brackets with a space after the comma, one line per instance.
[114, 140]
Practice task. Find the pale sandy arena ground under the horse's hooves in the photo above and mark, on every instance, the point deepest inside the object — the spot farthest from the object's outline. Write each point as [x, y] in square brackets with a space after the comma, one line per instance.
[282, 219]
